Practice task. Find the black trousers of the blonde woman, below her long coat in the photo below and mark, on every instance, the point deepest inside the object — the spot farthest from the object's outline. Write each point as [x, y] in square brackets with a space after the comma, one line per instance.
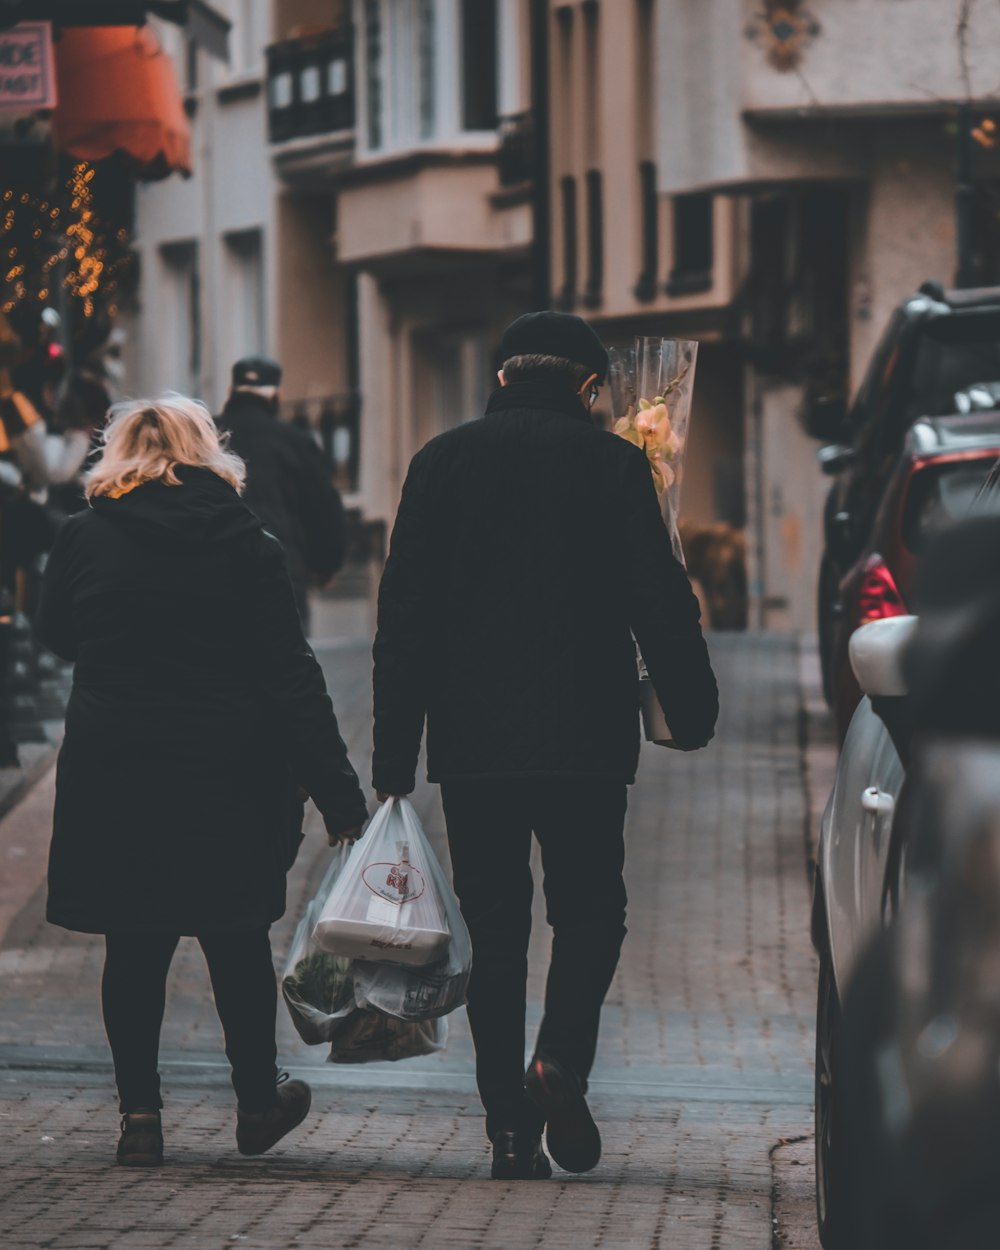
[134, 996]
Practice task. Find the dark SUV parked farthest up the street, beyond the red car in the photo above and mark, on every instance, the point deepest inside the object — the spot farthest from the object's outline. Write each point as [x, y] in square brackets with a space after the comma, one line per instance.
[937, 357]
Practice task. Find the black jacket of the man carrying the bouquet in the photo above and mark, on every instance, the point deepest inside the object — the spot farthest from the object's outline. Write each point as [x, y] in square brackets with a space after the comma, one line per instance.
[527, 552]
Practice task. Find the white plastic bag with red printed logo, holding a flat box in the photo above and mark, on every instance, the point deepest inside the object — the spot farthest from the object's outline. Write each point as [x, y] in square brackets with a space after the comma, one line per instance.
[388, 906]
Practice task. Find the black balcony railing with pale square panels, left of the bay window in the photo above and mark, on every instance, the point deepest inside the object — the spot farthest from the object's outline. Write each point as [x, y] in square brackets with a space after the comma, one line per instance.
[311, 86]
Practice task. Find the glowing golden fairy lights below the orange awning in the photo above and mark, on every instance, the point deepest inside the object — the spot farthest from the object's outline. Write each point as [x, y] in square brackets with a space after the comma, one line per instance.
[79, 253]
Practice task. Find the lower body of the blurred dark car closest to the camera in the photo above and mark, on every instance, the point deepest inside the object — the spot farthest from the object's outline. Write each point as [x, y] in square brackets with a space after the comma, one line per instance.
[919, 1059]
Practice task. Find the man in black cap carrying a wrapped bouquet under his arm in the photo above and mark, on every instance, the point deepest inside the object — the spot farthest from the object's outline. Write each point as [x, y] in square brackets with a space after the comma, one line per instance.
[528, 551]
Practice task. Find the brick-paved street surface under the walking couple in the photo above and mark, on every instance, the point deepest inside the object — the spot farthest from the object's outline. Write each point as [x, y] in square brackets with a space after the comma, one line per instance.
[704, 1064]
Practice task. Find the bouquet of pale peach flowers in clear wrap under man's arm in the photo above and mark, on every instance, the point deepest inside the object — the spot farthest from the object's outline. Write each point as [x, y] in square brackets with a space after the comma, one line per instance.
[652, 388]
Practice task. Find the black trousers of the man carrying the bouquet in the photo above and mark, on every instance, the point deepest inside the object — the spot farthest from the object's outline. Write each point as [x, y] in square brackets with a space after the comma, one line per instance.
[579, 824]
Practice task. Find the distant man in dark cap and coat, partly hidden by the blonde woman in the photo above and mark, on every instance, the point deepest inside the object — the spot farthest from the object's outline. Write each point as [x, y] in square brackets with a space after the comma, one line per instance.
[289, 482]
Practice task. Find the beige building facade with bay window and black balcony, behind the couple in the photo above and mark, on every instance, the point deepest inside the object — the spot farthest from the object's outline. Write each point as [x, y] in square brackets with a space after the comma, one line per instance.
[347, 216]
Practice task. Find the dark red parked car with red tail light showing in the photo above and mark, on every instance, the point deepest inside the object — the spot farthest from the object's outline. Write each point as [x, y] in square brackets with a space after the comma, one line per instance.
[934, 484]
